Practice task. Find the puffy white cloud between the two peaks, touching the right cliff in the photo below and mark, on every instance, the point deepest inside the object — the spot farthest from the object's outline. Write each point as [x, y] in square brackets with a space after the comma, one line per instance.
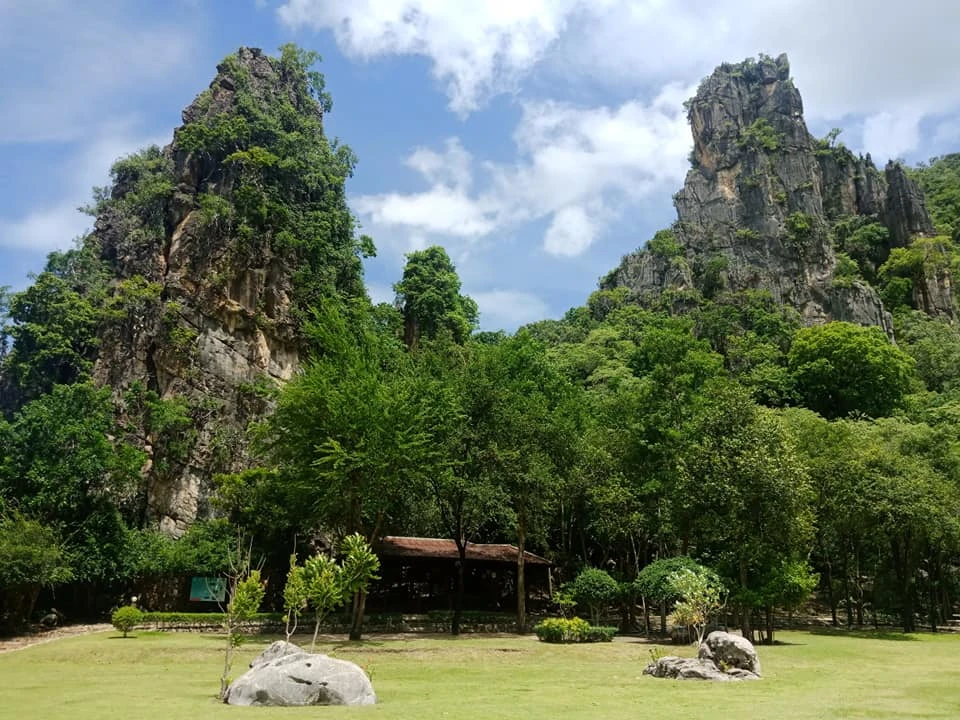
[575, 168]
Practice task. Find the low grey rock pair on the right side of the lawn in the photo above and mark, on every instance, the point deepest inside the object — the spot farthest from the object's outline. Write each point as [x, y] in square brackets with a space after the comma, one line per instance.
[722, 657]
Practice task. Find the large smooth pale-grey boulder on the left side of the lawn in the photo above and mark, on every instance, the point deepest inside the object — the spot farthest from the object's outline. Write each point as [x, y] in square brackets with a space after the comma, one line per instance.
[284, 675]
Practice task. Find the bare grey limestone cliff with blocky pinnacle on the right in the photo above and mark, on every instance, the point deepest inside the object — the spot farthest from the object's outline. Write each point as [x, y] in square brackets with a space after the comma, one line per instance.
[759, 201]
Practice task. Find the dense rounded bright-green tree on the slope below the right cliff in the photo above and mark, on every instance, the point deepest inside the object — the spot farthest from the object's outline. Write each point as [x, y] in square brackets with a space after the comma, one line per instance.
[839, 368]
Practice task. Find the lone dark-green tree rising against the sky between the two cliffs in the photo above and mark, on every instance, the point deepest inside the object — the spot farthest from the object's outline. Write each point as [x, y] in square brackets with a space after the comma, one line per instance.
[429, 297]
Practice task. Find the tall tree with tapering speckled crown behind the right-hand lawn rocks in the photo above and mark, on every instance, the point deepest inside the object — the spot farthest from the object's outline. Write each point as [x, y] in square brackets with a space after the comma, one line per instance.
[743, 496]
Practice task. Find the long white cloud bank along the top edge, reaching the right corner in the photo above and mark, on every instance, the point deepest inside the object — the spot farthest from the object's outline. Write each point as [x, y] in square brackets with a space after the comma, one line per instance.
[857, 57]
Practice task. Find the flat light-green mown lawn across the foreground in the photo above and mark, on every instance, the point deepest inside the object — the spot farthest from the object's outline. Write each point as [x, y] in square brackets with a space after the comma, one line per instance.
[157, 676]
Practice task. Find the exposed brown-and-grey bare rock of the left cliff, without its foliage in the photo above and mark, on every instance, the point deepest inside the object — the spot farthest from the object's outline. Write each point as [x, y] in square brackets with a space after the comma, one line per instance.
[222, 327]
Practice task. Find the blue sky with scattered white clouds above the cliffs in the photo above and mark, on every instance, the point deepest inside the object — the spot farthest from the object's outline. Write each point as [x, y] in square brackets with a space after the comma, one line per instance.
[537, 140]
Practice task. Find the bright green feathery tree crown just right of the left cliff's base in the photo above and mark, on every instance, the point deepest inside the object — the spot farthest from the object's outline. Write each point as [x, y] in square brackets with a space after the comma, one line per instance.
[347, 436]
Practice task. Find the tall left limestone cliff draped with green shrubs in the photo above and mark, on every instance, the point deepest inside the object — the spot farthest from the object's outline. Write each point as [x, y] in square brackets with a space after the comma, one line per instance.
[206, 286]
